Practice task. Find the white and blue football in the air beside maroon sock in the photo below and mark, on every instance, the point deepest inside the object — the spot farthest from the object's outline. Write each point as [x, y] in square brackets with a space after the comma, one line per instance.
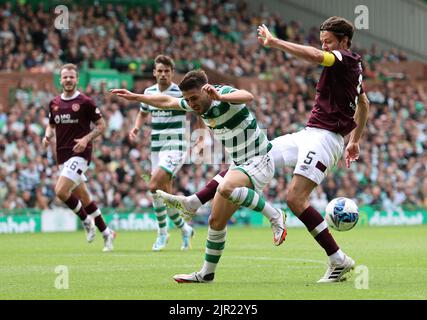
[342, 214]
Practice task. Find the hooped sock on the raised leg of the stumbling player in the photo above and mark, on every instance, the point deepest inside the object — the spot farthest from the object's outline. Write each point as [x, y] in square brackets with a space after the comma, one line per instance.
[249, 198]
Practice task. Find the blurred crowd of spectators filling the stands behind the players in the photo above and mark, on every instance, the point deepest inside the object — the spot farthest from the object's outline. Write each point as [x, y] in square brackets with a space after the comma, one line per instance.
[392, 169]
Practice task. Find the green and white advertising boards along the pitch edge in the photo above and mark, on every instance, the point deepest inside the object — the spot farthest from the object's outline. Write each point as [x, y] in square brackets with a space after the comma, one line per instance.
[62, 219]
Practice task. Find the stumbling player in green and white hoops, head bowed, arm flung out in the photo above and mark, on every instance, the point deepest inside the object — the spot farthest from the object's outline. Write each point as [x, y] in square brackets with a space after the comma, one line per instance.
[224, 110]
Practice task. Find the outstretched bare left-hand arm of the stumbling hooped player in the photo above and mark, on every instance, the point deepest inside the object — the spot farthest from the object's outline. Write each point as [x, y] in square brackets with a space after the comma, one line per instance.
[160, 101]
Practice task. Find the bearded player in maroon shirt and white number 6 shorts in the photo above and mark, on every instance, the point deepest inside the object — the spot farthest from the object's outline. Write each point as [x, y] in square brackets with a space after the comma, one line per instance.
[70, 117]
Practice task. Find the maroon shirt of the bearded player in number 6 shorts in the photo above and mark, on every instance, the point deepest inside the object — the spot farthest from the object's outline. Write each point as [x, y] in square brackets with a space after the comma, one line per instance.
[72, 120]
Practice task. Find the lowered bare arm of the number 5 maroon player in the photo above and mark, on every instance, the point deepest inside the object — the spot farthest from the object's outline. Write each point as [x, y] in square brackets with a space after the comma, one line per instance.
[360, 117]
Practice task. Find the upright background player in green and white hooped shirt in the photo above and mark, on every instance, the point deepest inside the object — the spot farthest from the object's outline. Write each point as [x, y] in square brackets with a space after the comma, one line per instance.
[167, 149]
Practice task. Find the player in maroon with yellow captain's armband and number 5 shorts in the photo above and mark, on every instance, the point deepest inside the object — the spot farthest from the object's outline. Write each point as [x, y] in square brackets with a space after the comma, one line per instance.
[341, 108]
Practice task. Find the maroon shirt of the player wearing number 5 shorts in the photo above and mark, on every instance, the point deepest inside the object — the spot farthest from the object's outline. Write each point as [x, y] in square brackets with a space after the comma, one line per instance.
[336, 93]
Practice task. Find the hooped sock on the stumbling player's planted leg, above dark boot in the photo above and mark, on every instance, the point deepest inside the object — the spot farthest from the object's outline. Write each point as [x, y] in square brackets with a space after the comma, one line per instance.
[214, 246]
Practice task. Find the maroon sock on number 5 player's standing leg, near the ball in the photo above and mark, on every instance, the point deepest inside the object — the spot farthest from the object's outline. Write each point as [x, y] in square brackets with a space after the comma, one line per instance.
[318, 228]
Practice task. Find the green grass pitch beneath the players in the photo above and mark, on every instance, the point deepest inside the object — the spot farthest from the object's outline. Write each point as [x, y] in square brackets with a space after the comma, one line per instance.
[250, 268]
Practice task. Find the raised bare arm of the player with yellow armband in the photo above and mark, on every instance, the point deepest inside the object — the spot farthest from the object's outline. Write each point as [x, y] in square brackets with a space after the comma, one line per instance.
[307, 53]
